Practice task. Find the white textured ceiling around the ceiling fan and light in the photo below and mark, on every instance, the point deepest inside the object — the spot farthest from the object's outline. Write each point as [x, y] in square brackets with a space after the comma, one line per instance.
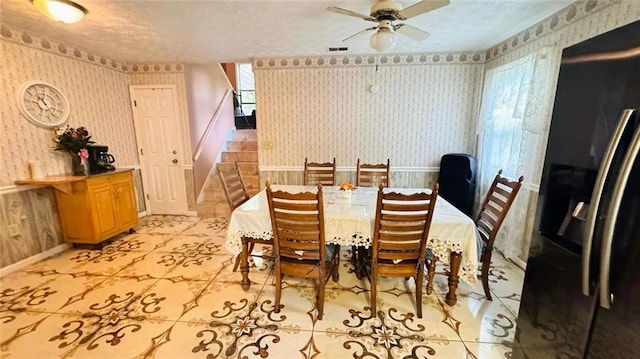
[237, 31]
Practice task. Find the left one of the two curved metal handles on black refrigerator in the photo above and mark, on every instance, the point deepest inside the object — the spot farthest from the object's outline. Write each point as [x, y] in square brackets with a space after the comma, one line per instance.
[598, 188]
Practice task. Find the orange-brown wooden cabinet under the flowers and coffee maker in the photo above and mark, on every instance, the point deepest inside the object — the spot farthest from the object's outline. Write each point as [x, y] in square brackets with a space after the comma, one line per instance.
[98, 207]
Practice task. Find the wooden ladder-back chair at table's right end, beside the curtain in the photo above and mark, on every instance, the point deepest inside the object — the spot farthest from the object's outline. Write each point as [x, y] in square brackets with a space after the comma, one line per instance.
[492, 212]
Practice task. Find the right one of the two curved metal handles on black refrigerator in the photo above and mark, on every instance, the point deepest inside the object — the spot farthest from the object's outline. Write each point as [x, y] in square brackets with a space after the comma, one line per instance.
[612, 215]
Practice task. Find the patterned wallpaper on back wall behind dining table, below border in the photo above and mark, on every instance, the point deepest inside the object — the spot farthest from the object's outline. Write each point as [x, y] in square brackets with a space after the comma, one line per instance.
[418, 113]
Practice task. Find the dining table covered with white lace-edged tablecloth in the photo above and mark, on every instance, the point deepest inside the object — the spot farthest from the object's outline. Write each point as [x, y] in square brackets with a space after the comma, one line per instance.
[350, 222]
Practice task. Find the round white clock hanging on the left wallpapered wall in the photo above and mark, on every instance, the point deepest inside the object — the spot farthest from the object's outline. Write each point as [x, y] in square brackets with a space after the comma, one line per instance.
[43, 104]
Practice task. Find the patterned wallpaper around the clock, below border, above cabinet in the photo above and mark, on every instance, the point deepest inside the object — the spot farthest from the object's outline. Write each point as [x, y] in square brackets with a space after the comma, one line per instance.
[99, 100]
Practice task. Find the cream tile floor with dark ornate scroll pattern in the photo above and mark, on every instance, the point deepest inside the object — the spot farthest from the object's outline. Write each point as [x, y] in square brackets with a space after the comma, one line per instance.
[168, 291]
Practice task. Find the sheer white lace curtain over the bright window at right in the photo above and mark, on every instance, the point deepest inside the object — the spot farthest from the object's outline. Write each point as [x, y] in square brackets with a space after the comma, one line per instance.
[513, 118]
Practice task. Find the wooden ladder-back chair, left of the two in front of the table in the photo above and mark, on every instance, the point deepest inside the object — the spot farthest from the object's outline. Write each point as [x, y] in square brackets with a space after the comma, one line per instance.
[297, 221]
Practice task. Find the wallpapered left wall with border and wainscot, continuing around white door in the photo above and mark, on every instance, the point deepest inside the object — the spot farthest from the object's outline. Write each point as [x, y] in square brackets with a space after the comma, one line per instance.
[97, 89]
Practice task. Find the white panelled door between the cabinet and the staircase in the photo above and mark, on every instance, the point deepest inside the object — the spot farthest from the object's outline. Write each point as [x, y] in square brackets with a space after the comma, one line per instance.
[159, 147]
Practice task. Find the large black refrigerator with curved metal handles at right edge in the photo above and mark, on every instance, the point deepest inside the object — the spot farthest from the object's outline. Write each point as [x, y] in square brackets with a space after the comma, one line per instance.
[581, 294]
